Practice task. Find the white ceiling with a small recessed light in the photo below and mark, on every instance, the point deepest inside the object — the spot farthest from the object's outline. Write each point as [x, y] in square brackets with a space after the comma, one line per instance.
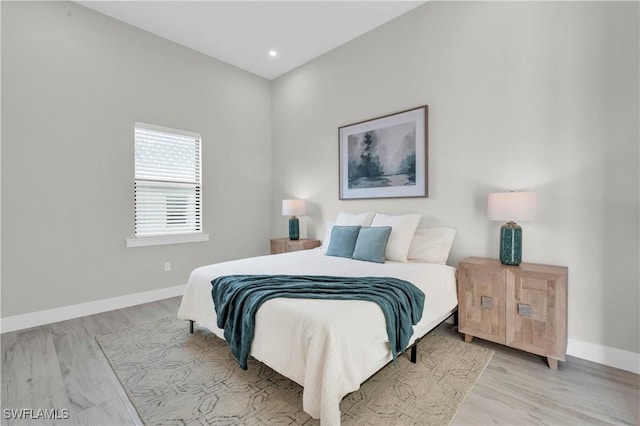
[242, 33]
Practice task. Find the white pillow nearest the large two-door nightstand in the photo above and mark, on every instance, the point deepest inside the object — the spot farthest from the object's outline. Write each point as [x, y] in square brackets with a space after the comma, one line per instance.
[431, 245]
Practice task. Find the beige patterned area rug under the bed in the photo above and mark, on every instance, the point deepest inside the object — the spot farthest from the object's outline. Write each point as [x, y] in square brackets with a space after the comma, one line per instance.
[173, 377]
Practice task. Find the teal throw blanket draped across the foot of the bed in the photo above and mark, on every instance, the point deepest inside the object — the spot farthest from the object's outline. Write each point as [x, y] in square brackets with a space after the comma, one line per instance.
[238, 297]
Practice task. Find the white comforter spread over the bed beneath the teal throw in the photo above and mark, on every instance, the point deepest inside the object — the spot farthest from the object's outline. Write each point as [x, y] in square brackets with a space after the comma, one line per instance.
[327, 346]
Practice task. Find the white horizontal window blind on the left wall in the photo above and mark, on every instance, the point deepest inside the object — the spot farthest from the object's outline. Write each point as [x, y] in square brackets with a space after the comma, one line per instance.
[167, 181]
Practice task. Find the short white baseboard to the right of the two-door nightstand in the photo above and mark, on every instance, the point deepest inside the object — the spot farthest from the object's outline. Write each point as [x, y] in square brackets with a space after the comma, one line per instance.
[618, 358]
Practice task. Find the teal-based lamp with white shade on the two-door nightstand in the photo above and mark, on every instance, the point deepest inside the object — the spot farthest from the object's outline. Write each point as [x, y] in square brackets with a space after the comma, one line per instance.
[511, 207]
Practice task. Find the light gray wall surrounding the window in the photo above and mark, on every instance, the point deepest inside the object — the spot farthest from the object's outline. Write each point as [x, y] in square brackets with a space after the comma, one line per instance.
[73, 83]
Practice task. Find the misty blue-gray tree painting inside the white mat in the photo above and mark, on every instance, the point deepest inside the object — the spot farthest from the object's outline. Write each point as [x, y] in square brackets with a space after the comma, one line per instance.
[383, 157]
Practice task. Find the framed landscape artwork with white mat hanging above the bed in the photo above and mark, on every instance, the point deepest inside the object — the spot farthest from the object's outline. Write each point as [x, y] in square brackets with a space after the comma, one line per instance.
[385, 157]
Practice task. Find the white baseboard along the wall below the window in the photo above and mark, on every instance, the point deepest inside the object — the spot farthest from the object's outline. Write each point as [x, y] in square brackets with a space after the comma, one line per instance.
[34, 319]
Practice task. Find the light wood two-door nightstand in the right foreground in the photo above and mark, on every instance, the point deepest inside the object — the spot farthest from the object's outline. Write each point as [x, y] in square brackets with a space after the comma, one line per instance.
[523, 306]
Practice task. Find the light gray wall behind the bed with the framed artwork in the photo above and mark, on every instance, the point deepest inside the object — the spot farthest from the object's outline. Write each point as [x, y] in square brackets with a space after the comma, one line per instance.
[521, 95]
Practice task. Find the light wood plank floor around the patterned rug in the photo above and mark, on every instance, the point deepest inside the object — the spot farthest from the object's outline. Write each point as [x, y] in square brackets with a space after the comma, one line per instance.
[61, 366]
